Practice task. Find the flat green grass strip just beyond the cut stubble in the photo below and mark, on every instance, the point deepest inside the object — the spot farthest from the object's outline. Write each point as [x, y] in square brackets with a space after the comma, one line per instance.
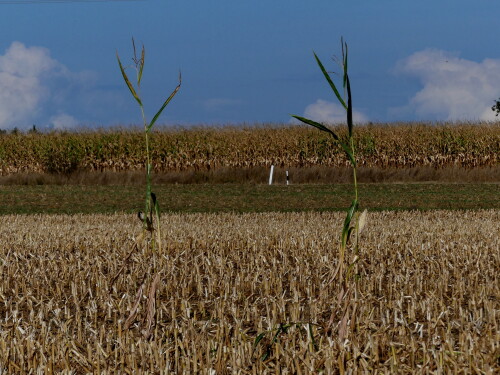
[71, 199]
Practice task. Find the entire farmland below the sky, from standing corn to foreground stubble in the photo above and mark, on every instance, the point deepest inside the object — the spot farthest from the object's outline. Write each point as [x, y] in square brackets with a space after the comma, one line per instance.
[245, 282]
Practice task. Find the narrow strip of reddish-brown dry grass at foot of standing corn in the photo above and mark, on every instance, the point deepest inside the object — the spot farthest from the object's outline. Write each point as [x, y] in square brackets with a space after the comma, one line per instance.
[257, 175]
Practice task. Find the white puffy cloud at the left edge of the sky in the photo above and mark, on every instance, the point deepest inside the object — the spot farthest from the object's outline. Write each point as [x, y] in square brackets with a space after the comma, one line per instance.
[27, 85]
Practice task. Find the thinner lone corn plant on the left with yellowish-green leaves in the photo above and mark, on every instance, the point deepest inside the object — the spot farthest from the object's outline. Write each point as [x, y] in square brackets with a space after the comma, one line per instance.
[151, 208]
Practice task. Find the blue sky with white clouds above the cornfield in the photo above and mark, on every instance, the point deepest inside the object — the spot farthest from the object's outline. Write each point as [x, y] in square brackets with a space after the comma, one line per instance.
[247, 61]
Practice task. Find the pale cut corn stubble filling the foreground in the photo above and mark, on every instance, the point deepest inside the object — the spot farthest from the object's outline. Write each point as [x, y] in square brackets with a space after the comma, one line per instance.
[428, 297]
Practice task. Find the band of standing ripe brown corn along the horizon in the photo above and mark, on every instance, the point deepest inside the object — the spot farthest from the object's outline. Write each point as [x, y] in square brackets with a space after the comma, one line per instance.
[209, 148]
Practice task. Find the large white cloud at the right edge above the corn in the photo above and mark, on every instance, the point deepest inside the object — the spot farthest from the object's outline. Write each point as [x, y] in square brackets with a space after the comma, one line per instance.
[453, 88]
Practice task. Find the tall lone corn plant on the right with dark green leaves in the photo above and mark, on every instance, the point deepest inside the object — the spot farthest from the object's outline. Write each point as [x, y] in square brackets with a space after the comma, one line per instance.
[353, 221]
